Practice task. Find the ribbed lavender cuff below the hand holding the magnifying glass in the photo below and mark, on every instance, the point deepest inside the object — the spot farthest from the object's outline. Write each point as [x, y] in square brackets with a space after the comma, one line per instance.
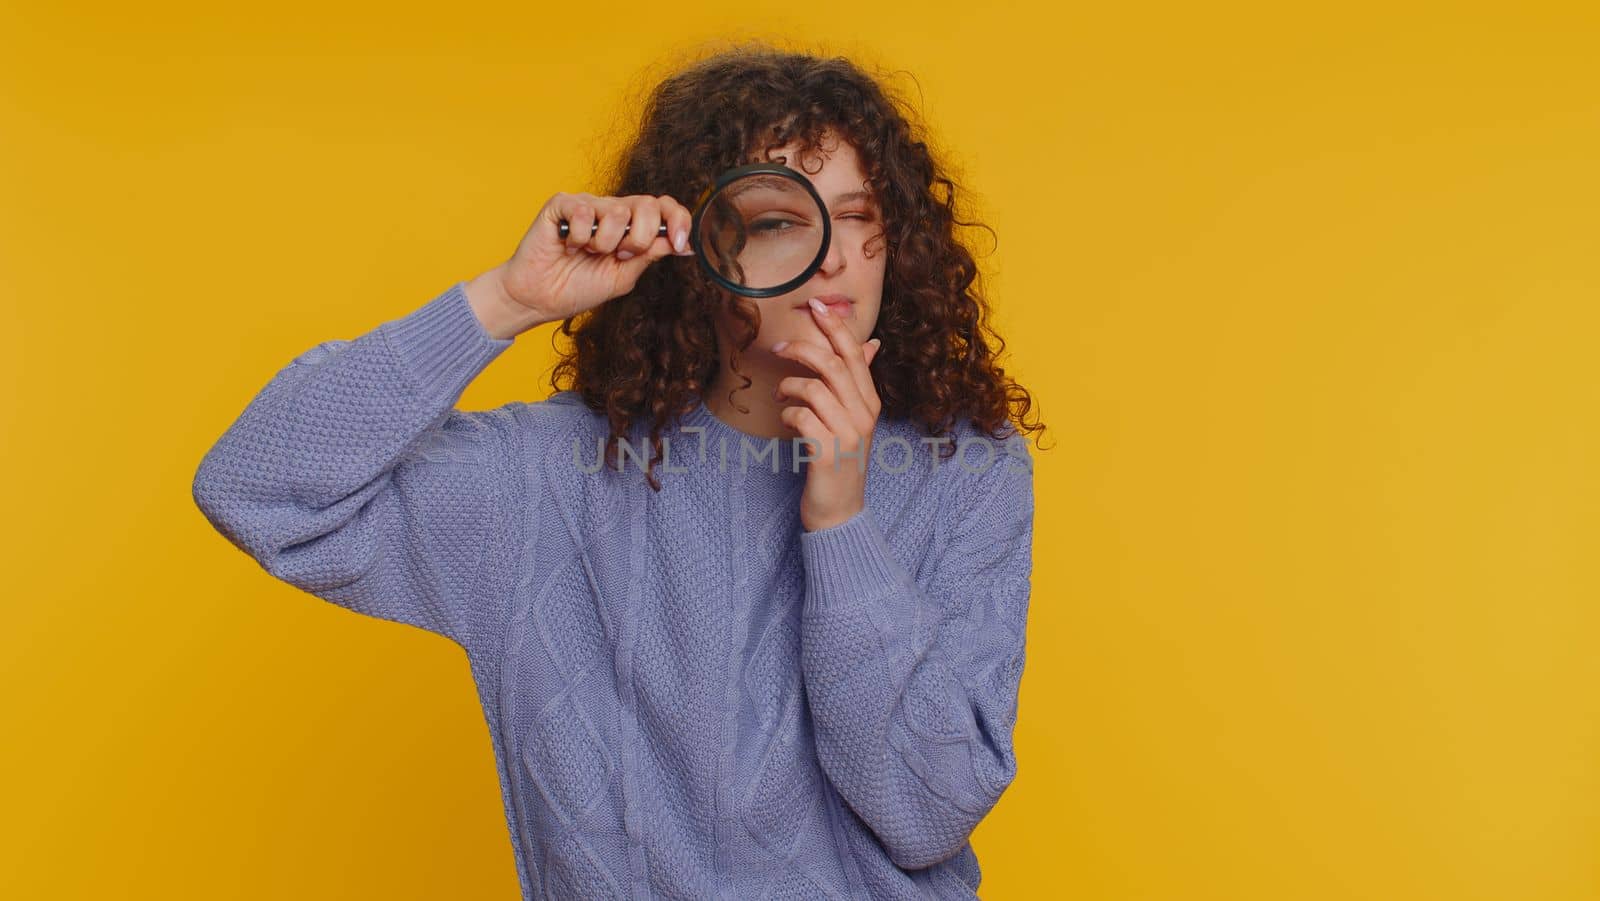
[444, 345]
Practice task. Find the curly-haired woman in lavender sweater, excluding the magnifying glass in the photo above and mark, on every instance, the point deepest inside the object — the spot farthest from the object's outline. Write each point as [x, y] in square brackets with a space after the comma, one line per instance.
[703, 678]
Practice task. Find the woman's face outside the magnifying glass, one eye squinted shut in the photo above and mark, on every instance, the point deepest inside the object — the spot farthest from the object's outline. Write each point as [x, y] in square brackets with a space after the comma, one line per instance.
[852, 271]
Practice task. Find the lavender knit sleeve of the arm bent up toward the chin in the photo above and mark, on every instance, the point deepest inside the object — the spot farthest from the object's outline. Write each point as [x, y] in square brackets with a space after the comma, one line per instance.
[914, 686]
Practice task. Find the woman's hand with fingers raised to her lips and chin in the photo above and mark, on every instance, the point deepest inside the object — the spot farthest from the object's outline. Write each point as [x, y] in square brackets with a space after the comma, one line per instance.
[841, 412]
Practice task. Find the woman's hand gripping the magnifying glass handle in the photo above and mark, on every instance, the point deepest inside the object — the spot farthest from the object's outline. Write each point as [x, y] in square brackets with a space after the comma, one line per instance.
[551, 278]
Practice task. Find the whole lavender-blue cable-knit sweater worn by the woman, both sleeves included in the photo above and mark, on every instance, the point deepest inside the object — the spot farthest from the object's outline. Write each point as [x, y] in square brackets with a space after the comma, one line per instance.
[689, 695]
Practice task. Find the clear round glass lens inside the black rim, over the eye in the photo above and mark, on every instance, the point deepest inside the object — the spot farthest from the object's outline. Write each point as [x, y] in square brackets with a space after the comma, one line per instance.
[762, 231]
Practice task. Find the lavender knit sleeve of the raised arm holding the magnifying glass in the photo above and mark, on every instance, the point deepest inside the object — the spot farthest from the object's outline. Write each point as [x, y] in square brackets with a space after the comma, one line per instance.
[353, 478]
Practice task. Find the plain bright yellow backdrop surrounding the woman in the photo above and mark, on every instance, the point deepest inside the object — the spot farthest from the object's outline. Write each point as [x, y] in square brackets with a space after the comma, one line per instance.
[1308, 298]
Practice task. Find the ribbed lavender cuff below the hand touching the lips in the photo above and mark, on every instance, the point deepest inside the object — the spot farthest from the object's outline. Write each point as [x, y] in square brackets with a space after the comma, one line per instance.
[849, 563]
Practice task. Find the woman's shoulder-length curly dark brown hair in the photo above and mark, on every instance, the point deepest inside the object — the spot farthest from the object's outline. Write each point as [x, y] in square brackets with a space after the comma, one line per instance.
[654, 351]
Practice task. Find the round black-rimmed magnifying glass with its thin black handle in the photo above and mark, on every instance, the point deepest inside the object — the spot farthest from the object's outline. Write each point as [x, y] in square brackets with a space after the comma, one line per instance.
[759, 230]
